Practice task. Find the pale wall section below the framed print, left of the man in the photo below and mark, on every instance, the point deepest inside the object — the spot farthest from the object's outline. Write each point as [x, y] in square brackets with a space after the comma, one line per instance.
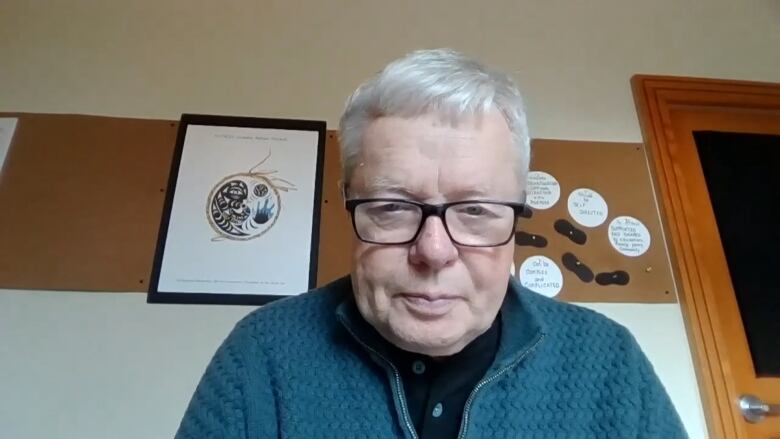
[100, 365]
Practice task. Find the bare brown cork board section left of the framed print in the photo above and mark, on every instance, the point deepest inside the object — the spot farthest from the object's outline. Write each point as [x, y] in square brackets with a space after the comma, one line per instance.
[82, 198]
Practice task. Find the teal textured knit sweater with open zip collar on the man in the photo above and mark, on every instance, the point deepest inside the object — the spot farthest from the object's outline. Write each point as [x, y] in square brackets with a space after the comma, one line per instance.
[302, 367]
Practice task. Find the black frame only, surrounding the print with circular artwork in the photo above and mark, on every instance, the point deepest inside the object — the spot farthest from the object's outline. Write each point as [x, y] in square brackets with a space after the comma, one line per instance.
[154, 295]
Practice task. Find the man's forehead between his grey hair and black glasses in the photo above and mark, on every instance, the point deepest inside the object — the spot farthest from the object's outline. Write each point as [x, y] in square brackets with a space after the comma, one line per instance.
[433, 158]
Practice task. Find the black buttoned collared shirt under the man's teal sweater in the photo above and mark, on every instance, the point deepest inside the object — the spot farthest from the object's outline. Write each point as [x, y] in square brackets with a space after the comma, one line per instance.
[436, 390]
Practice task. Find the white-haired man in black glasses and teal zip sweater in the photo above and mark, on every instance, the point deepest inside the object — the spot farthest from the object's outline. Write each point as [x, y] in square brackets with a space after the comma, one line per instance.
[429, 337]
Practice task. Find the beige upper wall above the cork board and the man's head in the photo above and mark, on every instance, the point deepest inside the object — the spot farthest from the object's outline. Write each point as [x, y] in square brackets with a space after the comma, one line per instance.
[572, 58]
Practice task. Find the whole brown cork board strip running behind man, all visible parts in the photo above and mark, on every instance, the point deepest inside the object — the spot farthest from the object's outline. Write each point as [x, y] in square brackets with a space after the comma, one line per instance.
[82, 199]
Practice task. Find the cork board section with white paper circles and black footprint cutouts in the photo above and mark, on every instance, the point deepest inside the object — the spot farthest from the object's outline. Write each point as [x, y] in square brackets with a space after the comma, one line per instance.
[593, 233]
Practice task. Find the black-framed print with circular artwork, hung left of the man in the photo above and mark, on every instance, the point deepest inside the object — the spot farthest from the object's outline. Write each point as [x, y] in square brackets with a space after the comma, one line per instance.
[241, 217]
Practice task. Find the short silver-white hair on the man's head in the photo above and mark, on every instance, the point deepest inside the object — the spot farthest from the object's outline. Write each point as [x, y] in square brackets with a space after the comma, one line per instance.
[441, 81]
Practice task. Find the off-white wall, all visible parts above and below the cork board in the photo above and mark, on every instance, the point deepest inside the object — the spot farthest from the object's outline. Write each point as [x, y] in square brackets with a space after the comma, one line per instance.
[95, 365]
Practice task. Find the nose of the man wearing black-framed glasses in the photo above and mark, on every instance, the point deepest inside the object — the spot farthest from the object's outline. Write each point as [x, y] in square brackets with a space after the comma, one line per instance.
[433, 247]
